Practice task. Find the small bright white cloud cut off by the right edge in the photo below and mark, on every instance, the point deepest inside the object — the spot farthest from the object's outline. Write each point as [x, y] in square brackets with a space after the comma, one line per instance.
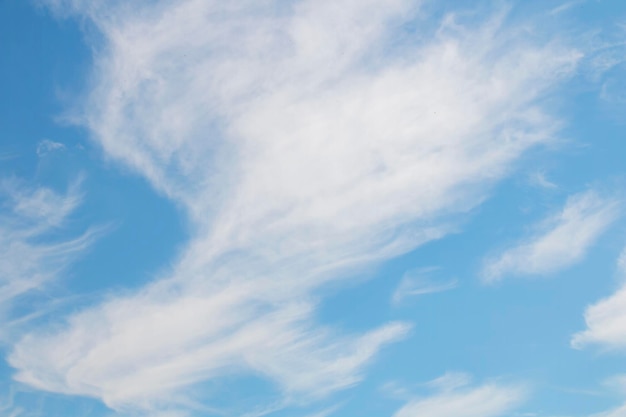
[606, 319]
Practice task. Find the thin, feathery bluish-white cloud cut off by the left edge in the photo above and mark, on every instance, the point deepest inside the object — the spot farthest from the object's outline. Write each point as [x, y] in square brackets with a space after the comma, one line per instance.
[31, 257]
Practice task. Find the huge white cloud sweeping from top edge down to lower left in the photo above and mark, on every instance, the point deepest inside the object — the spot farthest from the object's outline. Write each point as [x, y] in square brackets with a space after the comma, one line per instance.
[306, 140]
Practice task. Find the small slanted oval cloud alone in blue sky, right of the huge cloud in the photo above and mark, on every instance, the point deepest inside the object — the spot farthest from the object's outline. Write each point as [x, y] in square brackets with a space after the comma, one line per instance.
[560, 241]
